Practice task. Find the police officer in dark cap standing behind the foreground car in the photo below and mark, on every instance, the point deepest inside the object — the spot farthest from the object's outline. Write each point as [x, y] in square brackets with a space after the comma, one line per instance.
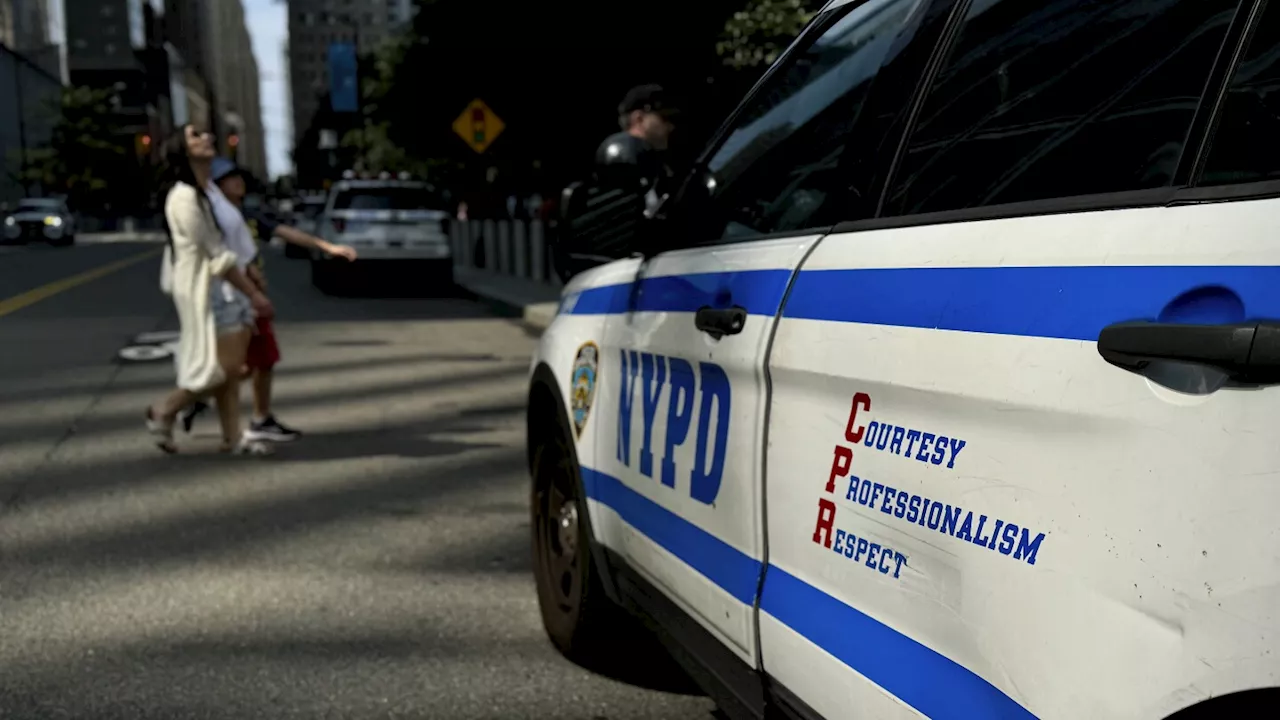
[638, 154]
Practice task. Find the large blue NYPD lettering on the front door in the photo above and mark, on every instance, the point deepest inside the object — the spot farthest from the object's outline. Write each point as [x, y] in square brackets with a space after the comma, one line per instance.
[705, 391]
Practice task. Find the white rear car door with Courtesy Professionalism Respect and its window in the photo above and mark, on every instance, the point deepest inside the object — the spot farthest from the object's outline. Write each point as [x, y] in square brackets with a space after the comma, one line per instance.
[972, 513]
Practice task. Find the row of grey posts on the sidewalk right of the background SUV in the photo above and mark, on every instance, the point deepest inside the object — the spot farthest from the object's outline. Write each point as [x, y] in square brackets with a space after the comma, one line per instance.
[515, 249]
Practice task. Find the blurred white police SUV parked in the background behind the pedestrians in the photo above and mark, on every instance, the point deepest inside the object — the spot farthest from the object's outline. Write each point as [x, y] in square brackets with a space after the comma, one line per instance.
[392, 222]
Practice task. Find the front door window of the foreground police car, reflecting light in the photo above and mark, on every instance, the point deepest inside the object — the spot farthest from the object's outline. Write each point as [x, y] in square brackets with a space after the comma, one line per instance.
[780, 168]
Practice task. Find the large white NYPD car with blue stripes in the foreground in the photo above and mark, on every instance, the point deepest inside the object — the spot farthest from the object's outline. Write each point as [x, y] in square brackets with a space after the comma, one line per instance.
[947, 385]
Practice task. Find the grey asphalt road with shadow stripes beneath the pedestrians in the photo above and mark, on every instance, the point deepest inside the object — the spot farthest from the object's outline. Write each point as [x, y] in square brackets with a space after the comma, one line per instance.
[378, 568]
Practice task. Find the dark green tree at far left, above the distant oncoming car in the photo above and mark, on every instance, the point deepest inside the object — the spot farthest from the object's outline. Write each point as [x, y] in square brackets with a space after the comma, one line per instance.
[84, 151]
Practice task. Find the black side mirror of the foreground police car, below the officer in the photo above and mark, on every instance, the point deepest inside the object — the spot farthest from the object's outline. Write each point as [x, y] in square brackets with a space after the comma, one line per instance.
[598, 225]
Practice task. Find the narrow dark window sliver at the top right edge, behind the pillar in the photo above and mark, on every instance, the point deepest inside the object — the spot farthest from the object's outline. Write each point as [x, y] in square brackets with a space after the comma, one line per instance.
[1245, 147]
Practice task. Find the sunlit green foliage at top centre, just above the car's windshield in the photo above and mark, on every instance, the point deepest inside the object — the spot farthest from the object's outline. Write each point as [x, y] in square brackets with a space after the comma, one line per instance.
[756, 37]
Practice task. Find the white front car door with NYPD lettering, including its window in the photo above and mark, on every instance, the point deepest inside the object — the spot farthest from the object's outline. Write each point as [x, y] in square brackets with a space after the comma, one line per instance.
[687, 349]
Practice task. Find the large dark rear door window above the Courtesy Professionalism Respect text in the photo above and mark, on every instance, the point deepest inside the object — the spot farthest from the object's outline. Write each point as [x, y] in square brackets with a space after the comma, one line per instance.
[1045, 101]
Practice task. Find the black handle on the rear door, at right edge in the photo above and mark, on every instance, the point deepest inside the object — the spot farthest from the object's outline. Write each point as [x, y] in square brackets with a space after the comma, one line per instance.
[1247, 352]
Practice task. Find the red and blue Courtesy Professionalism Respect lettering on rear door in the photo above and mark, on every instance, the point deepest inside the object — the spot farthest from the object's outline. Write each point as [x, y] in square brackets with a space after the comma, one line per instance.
[996, 535]
